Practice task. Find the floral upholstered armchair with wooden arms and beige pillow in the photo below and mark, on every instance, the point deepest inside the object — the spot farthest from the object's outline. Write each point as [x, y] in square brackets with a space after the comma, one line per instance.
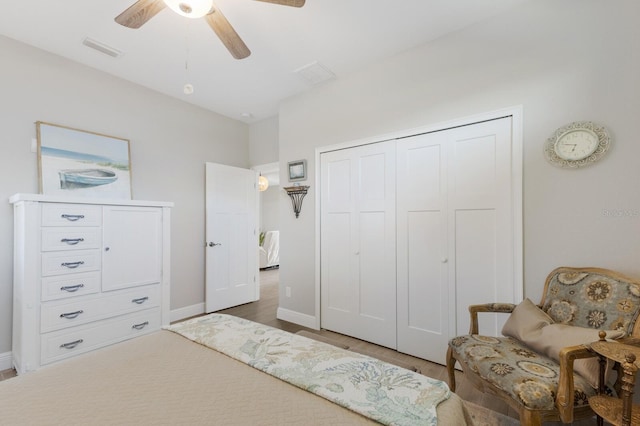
[543, 366]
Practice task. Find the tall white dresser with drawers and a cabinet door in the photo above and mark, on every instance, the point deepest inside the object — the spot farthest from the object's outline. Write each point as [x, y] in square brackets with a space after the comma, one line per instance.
[87, 273]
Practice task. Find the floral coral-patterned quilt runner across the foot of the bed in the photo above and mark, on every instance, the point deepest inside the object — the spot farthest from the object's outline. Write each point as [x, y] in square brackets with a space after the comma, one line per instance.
[383, 392]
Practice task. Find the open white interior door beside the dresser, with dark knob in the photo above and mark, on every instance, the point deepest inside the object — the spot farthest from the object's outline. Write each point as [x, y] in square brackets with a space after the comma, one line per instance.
[231, 237]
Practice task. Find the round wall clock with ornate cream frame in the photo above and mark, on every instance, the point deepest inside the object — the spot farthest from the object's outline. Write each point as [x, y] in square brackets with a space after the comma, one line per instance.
[577, 144]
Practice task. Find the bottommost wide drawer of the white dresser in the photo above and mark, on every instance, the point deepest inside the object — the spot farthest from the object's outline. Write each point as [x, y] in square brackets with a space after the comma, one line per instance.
[70, 342]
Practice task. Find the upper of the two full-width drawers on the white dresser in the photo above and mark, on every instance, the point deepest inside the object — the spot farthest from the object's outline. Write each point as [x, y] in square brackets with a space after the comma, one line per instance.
[63, 314]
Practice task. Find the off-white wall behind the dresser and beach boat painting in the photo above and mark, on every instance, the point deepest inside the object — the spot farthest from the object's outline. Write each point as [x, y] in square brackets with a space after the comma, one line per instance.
[170, 141]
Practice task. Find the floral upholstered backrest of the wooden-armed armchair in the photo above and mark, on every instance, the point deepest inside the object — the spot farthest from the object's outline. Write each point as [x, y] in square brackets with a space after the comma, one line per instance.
[592, 300]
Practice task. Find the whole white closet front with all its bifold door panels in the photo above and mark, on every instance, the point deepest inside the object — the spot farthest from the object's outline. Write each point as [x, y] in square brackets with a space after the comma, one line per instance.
[415, 229]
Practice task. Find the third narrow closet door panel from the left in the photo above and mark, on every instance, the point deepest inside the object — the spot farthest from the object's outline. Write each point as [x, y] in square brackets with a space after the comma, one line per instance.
[423, 294]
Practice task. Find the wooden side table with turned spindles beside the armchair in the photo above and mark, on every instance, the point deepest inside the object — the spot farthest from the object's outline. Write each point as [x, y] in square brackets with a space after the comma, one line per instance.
[617, 411]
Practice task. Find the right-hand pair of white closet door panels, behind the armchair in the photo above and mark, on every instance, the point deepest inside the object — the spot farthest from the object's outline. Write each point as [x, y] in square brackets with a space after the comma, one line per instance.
[455, 233]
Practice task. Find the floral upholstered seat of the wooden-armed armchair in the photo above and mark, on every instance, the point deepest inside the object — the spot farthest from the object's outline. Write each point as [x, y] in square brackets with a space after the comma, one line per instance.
[506, 363]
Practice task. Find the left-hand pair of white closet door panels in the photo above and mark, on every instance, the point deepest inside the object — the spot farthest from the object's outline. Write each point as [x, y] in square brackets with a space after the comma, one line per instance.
[358, 250]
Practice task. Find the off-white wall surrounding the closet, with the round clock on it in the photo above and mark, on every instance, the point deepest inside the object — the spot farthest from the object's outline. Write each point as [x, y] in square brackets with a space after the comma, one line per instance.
[562, 61]
